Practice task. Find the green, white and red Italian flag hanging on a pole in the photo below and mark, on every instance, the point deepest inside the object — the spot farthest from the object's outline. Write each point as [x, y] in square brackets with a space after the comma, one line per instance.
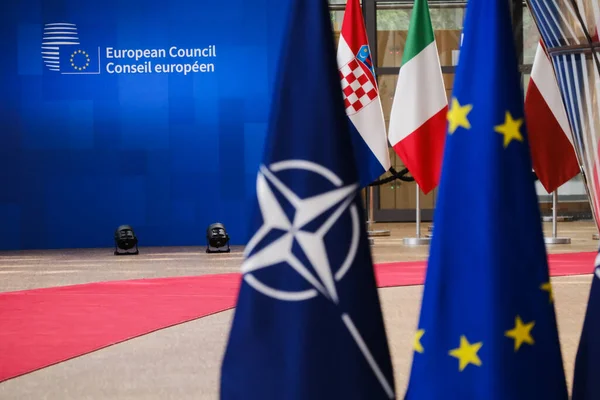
[418, 119]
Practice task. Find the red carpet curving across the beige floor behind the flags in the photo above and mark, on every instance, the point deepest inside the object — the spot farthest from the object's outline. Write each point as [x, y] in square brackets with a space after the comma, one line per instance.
[42, 327]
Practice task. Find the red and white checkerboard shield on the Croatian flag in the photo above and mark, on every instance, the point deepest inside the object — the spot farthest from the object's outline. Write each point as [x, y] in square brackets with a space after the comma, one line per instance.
[356, 86]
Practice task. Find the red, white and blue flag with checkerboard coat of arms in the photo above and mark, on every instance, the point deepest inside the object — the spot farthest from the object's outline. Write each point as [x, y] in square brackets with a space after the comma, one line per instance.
[361, 97]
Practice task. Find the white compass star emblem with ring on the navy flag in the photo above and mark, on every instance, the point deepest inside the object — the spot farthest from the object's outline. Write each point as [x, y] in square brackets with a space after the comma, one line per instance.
[315, 270]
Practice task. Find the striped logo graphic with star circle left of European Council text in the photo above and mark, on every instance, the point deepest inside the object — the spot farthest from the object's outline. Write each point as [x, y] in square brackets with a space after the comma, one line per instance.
[62, 51]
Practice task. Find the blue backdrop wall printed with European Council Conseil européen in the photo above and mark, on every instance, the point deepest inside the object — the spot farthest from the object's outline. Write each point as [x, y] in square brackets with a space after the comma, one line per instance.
[141, 112]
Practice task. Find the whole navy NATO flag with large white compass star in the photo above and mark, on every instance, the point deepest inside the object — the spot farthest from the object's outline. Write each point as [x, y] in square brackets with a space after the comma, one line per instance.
[308, 323]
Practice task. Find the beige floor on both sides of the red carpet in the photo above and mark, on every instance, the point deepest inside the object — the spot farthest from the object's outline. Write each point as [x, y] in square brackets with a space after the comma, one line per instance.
[183, 362]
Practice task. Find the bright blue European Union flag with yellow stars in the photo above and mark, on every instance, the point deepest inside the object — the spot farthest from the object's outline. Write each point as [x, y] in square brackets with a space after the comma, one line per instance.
[487, 327]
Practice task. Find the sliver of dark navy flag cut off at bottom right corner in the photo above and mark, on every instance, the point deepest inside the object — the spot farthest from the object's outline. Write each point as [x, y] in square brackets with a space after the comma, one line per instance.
[586, 385]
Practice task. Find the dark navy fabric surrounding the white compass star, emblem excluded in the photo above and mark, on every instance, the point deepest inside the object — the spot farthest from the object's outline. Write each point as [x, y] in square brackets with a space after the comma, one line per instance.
[303, 349]
